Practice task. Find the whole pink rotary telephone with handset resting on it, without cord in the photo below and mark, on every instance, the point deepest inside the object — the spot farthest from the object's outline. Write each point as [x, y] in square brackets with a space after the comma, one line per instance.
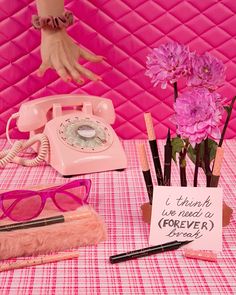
[78, 129]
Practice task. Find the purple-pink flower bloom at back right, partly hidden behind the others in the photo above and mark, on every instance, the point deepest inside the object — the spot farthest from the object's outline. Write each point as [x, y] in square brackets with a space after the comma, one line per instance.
[207, 71]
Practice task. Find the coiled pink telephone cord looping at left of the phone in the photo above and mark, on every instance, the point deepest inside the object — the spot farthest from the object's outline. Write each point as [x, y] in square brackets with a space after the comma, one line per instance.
[10, 155]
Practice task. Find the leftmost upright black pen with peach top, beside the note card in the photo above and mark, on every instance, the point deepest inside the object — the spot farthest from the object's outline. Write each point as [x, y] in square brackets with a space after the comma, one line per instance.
[146, 171]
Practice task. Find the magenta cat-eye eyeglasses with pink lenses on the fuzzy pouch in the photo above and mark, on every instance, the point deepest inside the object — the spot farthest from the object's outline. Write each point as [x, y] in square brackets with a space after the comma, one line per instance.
[21, 205]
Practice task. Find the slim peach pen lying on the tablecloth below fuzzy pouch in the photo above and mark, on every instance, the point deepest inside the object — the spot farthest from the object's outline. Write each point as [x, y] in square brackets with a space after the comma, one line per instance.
[38, 260]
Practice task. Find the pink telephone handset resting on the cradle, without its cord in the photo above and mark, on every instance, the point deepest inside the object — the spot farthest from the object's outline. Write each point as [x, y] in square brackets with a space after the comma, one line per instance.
[33, 114]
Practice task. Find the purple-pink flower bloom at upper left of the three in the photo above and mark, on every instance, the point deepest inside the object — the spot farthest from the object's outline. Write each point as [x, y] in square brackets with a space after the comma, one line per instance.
[168, 63]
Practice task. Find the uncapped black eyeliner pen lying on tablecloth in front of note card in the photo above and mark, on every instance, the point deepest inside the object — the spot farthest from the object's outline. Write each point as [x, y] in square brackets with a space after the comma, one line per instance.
[170, 246]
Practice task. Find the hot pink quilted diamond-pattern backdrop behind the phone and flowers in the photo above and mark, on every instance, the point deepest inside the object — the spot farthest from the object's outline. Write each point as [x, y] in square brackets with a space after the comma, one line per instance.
[124, 32]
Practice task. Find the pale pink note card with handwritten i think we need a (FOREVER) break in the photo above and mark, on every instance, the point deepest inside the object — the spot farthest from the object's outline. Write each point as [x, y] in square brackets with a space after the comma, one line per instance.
[187, 213]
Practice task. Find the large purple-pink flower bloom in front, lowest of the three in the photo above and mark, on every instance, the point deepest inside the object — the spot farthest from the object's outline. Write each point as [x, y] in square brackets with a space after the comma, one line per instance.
[198, 114]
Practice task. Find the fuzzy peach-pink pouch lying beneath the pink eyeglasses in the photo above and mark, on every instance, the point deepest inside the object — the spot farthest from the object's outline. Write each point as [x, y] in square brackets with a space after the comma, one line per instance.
[82, 227]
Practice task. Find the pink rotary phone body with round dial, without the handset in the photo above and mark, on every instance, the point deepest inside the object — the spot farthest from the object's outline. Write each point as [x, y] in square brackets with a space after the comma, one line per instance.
[70, 159]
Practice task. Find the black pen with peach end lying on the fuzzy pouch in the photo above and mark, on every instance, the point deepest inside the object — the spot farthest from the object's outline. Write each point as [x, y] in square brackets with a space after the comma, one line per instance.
[68, 216]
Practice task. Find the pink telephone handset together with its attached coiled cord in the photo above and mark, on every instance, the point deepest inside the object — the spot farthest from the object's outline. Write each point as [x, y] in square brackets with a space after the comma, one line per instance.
[33, 115]
